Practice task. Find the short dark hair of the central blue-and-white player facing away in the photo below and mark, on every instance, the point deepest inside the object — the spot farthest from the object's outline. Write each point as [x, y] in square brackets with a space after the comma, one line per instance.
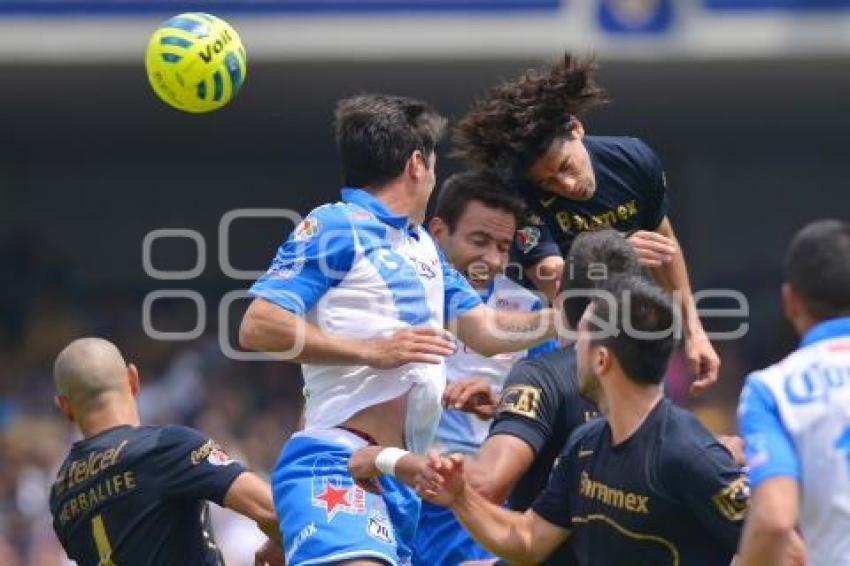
[377, 133]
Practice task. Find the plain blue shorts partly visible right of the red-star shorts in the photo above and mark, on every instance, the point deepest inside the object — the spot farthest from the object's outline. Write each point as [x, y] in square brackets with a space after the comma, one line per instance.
[442, 541]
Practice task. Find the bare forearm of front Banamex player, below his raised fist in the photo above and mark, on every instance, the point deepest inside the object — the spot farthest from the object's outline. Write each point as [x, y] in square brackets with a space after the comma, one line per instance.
[505, 533]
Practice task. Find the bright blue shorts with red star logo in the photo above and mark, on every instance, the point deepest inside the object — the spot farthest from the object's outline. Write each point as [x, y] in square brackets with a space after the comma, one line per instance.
[325, 518]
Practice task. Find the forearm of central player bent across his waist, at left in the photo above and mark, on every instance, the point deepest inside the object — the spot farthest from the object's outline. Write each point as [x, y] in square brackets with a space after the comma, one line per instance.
[269, 328]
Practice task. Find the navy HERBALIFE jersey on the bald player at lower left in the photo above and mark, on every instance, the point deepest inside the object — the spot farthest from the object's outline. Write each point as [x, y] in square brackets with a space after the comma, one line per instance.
[138, 496]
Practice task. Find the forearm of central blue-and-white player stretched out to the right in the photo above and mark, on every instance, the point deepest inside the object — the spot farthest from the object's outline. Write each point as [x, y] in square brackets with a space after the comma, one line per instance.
[491, 332]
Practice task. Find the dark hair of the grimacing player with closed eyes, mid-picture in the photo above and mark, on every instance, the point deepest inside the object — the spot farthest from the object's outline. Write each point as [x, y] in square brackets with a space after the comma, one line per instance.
[483, 186]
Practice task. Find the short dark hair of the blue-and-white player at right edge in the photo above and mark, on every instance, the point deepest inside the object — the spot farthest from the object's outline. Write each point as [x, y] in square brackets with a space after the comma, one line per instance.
[818, 268]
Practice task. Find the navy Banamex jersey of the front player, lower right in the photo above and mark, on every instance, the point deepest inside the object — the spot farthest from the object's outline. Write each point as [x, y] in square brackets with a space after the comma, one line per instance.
[668, 495]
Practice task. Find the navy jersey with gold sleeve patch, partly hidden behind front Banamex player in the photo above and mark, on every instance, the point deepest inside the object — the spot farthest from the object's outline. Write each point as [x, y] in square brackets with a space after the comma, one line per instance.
[541, 406]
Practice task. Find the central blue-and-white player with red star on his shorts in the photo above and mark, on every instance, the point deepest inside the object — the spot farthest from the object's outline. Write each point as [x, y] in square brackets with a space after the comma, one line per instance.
[359, 294]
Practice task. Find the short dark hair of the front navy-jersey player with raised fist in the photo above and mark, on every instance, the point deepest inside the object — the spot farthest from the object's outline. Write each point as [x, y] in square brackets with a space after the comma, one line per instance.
[643, 359]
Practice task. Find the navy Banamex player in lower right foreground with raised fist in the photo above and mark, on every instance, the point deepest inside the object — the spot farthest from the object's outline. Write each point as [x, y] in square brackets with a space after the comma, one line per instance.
[646, 484]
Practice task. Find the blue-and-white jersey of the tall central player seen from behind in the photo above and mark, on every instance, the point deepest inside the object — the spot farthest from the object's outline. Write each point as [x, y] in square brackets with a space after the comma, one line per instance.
[356, 269]
